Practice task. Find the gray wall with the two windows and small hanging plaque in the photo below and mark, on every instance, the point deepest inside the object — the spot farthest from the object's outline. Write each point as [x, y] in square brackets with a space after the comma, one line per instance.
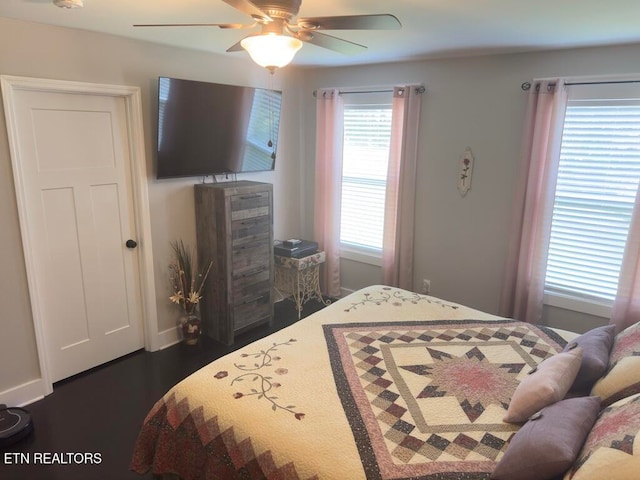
[461, 242]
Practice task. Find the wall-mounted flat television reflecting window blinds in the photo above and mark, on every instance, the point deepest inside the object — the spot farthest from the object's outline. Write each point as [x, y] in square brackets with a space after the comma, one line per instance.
[210, 128]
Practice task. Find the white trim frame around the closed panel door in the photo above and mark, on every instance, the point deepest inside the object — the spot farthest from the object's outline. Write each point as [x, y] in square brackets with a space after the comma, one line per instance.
[133, 112]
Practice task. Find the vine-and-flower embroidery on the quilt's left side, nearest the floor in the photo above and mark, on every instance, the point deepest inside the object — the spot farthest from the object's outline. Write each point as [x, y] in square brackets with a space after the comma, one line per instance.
[260, 379]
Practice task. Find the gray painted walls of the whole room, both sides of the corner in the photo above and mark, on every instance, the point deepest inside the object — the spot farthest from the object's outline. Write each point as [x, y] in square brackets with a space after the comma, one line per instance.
[460, 242]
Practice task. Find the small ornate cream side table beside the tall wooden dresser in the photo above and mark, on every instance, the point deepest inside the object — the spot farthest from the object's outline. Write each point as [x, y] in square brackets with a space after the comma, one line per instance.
[300, 277]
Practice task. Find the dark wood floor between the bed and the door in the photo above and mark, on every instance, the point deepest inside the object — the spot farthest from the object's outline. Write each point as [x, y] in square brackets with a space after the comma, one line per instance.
[100, 411]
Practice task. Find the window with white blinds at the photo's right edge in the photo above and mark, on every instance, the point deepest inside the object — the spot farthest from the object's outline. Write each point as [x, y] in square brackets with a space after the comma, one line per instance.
[598, 177]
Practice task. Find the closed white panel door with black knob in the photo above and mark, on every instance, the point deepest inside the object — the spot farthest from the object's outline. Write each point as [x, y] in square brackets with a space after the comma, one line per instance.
[77, 186]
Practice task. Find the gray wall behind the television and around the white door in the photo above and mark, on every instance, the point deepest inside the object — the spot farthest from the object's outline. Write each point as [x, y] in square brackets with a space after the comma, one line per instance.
[34, 50]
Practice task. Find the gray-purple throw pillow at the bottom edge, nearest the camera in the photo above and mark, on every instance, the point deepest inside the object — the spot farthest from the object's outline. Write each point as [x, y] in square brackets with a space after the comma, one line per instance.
[548, 444]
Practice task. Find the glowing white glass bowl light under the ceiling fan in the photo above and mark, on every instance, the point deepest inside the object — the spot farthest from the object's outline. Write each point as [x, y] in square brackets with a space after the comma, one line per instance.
[271, 50]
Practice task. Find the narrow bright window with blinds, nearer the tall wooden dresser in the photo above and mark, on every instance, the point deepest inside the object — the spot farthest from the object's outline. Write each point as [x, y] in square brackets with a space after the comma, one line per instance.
[367, 132]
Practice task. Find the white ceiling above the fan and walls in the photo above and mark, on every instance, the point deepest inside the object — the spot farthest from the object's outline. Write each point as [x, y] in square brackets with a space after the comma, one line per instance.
[430, 28]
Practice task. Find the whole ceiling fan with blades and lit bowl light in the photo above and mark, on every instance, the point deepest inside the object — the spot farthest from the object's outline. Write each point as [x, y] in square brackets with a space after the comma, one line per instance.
[281, 36]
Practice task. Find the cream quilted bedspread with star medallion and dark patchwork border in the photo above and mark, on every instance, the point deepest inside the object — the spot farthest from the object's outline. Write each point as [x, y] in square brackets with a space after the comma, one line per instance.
[383, 384]
